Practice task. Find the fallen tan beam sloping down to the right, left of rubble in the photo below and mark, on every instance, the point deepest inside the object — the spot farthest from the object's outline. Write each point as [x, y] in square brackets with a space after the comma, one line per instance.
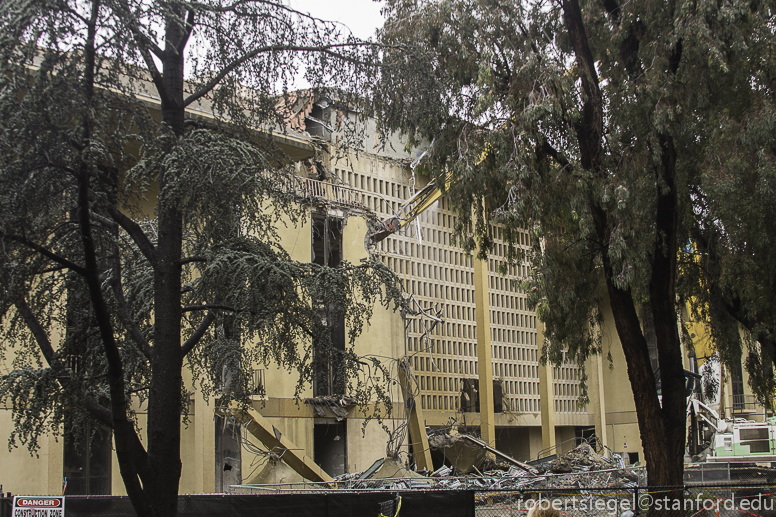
[273, 439]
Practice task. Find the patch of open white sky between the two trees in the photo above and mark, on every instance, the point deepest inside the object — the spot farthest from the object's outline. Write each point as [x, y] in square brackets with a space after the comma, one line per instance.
[361, 16]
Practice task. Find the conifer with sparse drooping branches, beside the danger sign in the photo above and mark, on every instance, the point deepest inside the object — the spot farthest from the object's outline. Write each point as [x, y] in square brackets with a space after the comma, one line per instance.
[142, 192]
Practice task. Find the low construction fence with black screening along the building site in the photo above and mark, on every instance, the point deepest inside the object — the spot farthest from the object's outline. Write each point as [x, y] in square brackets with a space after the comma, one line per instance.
[696, 501]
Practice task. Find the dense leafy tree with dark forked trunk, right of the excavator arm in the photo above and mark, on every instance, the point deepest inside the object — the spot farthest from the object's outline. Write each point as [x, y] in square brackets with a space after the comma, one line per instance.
[598, 126]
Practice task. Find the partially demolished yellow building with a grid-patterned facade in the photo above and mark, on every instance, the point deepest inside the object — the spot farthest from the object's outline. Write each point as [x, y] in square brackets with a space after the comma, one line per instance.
[475, 376]
